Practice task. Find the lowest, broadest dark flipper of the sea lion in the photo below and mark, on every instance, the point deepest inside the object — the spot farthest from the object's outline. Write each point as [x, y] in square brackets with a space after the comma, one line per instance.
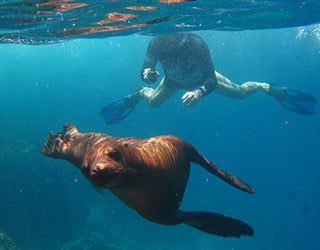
[216, 224]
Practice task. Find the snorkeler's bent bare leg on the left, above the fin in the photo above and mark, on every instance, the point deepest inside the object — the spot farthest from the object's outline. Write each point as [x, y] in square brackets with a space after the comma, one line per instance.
[156, 97]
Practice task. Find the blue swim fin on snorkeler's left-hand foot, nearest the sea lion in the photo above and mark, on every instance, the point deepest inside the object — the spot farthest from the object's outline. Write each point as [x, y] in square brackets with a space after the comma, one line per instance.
[118, 109]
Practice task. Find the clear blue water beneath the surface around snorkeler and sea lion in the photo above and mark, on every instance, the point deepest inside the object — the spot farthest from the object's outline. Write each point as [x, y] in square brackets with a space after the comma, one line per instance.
[48, 204]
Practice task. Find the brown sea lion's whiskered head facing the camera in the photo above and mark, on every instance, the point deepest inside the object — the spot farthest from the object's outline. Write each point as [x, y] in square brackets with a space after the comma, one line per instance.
[105, 165]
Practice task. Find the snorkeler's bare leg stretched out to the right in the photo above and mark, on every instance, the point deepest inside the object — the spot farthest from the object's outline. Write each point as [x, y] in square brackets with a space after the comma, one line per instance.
[228, 88]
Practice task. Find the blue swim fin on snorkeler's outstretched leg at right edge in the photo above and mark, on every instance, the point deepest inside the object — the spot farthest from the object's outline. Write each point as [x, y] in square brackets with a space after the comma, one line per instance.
[299, 102]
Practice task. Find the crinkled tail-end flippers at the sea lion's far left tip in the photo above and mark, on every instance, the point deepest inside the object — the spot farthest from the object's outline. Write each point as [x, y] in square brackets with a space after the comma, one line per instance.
[58, 145]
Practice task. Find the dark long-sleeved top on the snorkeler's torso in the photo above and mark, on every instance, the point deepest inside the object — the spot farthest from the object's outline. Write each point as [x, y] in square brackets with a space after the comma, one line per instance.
[186, 61]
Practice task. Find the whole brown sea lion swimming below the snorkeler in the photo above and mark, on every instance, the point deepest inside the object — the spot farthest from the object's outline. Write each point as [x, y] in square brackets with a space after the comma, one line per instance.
[149, 175]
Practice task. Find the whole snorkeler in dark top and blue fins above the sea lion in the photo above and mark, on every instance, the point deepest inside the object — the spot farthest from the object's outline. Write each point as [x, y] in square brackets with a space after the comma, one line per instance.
[187, 64]
